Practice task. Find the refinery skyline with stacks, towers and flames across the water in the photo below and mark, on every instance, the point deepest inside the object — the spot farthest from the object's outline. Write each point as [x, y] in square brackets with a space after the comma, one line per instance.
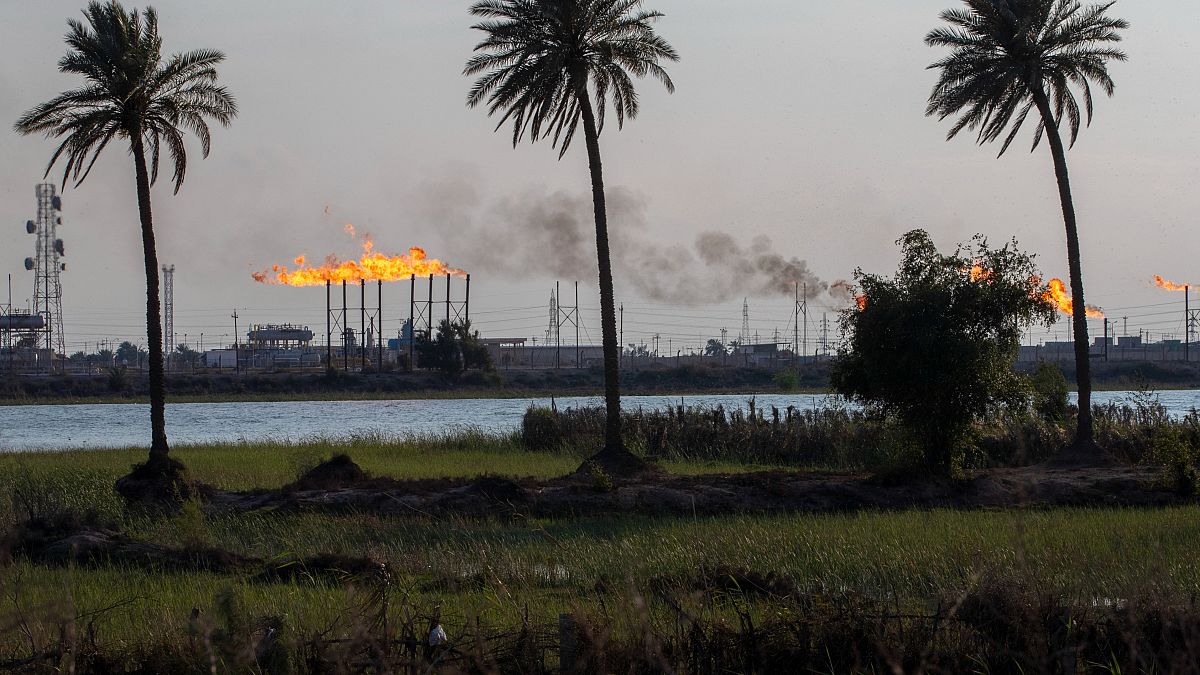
[356, 337]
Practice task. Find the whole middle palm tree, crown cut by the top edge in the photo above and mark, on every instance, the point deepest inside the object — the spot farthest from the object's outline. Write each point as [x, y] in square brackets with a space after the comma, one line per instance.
[548, 64]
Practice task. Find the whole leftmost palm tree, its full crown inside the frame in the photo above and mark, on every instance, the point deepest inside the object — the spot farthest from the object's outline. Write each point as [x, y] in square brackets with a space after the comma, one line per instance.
[131, 93]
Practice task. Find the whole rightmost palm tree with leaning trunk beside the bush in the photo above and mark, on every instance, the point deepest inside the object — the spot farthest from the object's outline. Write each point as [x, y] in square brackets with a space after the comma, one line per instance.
[1007, 58]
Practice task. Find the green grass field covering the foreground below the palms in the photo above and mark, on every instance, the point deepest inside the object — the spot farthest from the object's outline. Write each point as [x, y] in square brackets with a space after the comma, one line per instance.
[506, 572]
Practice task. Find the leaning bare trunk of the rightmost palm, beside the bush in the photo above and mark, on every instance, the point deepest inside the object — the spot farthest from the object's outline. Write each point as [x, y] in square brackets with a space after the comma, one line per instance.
[1084, 435]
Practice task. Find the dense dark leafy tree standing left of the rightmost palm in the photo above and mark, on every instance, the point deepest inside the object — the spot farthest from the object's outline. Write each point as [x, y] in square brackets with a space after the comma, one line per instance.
[934, 347]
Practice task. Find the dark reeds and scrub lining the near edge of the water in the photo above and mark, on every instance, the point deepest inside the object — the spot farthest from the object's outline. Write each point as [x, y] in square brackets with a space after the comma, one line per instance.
[847, 438]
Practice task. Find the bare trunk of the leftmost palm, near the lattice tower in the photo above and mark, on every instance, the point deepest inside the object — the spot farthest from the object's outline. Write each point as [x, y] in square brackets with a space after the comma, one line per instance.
[159, 449]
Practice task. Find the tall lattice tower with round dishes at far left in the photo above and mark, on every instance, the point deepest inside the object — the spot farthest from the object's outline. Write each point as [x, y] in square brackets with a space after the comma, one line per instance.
[47, 267]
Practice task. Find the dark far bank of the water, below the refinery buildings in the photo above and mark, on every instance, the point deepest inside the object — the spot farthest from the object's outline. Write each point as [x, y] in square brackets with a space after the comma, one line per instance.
[263, 387]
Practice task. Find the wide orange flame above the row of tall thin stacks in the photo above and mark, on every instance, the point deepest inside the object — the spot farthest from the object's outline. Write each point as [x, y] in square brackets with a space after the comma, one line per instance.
[371, 267]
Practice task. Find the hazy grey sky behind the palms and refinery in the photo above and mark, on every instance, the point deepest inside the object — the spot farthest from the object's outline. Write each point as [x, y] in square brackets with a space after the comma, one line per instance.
[799, 122]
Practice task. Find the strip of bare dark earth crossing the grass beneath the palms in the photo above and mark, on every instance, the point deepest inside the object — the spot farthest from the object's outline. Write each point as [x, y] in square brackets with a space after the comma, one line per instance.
[662, 494]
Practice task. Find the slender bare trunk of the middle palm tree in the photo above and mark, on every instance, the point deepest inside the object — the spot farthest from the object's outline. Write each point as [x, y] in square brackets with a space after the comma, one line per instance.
[614, 445]
